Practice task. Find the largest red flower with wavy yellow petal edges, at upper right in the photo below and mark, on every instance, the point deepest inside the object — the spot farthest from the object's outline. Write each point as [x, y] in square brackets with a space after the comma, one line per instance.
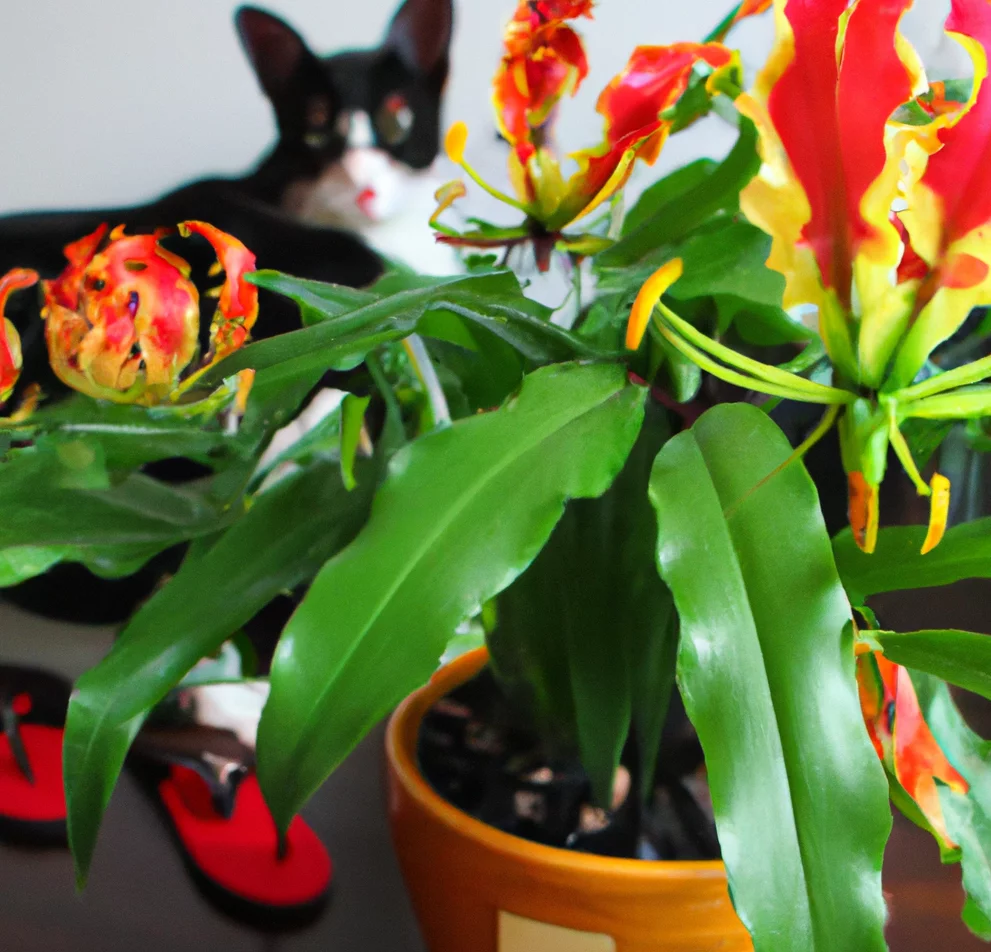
[881, 225]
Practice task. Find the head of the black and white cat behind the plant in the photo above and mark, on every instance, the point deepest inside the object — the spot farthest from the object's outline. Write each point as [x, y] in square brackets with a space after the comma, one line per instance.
[359, 131]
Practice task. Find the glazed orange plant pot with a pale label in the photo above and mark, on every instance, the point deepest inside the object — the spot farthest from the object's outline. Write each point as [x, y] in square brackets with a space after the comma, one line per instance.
[477, 889]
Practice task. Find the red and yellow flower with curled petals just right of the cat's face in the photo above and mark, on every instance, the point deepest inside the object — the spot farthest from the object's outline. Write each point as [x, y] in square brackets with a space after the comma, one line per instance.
[544, 61]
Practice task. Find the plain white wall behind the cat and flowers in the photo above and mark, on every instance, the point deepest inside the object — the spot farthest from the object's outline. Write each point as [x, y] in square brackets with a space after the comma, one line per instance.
[112, 101]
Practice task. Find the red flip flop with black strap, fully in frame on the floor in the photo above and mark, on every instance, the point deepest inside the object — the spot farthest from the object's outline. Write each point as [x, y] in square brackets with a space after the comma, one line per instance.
[203, 780]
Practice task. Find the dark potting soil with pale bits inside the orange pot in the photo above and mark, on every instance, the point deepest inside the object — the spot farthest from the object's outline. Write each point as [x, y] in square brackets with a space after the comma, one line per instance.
[476, 756]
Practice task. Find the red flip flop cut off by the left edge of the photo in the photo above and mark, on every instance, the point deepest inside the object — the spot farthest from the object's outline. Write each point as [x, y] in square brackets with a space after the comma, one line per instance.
[33, 706]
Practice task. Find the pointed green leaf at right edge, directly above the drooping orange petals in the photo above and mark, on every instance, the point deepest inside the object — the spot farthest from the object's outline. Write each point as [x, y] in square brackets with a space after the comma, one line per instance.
[962, 658]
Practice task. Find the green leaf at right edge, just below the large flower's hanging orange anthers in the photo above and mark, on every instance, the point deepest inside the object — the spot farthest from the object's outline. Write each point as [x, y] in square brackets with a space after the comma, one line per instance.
[897, 564]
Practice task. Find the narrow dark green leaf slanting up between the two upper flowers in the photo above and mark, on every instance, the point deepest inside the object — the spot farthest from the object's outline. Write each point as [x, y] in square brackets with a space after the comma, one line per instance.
[689, 208]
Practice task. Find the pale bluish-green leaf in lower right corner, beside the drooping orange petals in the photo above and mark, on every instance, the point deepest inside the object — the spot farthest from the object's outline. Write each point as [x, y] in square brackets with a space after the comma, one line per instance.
[968, 817]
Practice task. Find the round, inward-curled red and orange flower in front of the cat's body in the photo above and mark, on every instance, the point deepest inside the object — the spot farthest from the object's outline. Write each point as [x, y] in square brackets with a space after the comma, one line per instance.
[123, 320]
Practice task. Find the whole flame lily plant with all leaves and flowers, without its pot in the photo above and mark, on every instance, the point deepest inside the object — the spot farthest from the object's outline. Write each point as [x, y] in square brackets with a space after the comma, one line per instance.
[571, 486]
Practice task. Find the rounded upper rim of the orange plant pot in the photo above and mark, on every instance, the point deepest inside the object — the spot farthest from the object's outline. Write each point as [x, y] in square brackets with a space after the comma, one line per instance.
[401, 738]
